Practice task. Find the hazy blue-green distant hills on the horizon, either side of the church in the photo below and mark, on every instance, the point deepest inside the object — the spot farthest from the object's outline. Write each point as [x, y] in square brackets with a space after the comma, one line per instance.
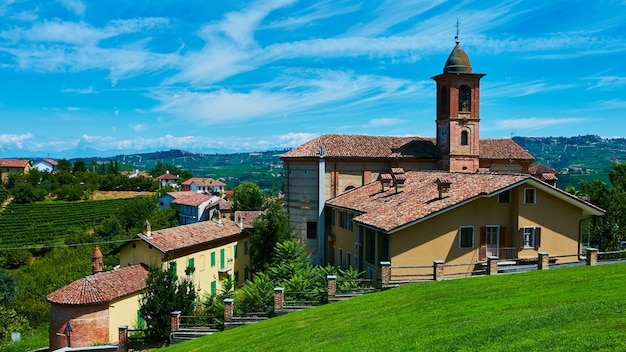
[576, 158]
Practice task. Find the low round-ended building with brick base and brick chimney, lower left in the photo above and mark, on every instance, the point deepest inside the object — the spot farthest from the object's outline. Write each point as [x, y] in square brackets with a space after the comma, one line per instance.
[96, 305]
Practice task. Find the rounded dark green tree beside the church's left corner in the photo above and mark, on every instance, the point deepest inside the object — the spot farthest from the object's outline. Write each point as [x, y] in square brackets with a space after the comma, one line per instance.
[270, 228]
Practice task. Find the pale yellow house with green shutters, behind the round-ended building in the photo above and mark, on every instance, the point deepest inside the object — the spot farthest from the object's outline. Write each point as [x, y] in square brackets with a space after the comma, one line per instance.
[207, 251]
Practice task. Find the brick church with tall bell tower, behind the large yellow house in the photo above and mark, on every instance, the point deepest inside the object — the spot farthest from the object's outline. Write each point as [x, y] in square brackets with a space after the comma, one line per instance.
[333, 164]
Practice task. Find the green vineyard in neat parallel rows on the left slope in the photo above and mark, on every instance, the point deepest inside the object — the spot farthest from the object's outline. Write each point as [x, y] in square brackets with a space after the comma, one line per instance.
[48, 223]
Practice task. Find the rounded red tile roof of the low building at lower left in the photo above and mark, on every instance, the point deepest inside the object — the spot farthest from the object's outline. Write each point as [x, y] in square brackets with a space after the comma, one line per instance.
[102, 287]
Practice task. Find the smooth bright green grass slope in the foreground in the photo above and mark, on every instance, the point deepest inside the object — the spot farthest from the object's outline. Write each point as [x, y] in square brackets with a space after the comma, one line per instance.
[569, 309]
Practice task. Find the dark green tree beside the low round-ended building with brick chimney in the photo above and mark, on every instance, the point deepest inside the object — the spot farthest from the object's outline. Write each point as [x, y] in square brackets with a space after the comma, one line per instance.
[164, 294]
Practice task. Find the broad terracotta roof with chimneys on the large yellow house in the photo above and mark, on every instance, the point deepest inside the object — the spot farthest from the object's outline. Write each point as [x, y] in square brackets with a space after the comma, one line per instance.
[389, 210]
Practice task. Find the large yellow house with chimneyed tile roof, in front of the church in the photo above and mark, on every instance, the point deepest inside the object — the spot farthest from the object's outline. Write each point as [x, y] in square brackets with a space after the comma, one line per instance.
[413, 218]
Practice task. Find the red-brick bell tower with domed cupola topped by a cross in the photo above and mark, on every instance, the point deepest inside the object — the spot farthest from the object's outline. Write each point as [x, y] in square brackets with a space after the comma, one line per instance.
[458, 117]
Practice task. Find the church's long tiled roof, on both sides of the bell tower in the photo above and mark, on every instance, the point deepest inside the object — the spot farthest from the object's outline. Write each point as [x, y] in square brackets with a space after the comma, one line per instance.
[360, 146]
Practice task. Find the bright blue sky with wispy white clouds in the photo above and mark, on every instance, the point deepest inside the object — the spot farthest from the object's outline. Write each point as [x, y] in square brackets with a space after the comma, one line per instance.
[101, 78]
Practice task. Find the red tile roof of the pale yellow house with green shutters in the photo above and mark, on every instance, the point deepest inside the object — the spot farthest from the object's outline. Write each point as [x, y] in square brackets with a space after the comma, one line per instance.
[184, 236]
